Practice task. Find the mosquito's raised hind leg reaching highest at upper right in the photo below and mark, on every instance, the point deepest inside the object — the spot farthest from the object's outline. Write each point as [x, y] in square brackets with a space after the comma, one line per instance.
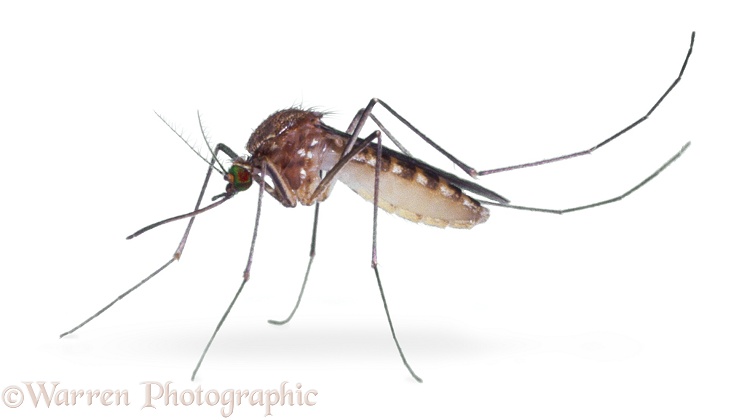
[366, 112]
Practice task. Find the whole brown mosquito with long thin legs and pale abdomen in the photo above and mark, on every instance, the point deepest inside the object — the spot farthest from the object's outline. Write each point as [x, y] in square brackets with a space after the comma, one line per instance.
[296, 158]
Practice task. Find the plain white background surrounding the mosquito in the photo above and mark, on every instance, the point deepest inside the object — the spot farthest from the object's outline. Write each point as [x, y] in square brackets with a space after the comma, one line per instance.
[616, 312]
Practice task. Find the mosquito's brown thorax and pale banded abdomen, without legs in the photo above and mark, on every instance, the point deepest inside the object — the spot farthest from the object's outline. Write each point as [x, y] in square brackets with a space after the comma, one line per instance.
[297, 147]
